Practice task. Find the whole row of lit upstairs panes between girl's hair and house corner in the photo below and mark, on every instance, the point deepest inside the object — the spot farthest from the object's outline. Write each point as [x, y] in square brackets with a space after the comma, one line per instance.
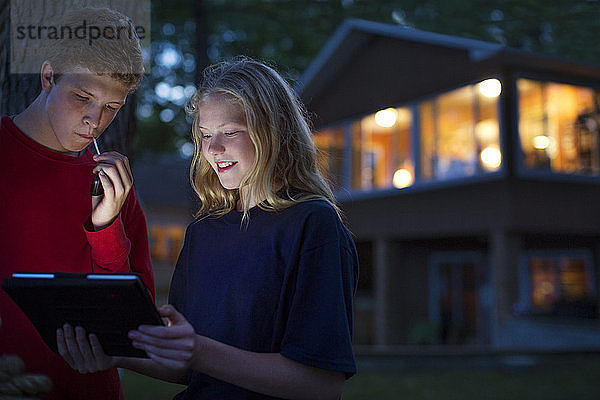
[459, 137]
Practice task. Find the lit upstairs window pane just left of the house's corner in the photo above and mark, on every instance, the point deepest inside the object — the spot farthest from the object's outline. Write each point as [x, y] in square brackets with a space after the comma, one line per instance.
[460, 133]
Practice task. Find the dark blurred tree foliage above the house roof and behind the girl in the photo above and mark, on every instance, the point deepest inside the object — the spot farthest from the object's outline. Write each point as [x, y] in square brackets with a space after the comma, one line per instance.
[290, 33]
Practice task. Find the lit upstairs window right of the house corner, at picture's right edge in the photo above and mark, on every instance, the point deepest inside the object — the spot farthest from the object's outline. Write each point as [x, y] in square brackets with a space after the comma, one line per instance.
[559, 127]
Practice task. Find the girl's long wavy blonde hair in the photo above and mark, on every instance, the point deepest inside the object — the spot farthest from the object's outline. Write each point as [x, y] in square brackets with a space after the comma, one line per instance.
[285, 169]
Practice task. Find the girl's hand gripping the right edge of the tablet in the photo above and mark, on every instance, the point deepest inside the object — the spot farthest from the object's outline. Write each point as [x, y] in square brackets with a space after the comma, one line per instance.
[171, 346]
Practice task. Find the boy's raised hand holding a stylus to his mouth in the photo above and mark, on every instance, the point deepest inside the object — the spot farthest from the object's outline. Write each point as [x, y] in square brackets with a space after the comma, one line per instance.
[116, 177]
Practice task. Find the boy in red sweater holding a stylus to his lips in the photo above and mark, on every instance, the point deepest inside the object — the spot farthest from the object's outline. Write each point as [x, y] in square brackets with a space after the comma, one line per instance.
[50, 221]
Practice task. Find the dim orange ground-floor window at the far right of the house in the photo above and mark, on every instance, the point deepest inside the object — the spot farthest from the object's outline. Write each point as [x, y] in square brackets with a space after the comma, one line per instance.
[558, 284]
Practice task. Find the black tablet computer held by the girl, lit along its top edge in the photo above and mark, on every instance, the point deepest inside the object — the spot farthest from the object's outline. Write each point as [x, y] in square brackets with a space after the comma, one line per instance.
[108, 305]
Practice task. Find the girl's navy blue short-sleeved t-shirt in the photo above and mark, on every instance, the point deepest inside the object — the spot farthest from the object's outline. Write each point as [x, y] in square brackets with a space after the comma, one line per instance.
[281, 283]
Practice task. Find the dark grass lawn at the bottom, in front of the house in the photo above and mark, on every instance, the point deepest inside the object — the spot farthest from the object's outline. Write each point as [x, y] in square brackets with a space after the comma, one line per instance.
[564, 377]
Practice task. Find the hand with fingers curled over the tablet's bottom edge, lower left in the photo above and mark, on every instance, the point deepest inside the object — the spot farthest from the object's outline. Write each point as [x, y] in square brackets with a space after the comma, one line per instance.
[80, 353]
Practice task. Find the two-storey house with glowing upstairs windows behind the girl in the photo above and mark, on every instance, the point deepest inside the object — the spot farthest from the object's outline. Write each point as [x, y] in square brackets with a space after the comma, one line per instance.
[468, 173]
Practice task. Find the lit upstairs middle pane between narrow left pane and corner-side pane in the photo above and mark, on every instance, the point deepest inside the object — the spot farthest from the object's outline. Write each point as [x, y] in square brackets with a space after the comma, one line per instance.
[381, 150]
